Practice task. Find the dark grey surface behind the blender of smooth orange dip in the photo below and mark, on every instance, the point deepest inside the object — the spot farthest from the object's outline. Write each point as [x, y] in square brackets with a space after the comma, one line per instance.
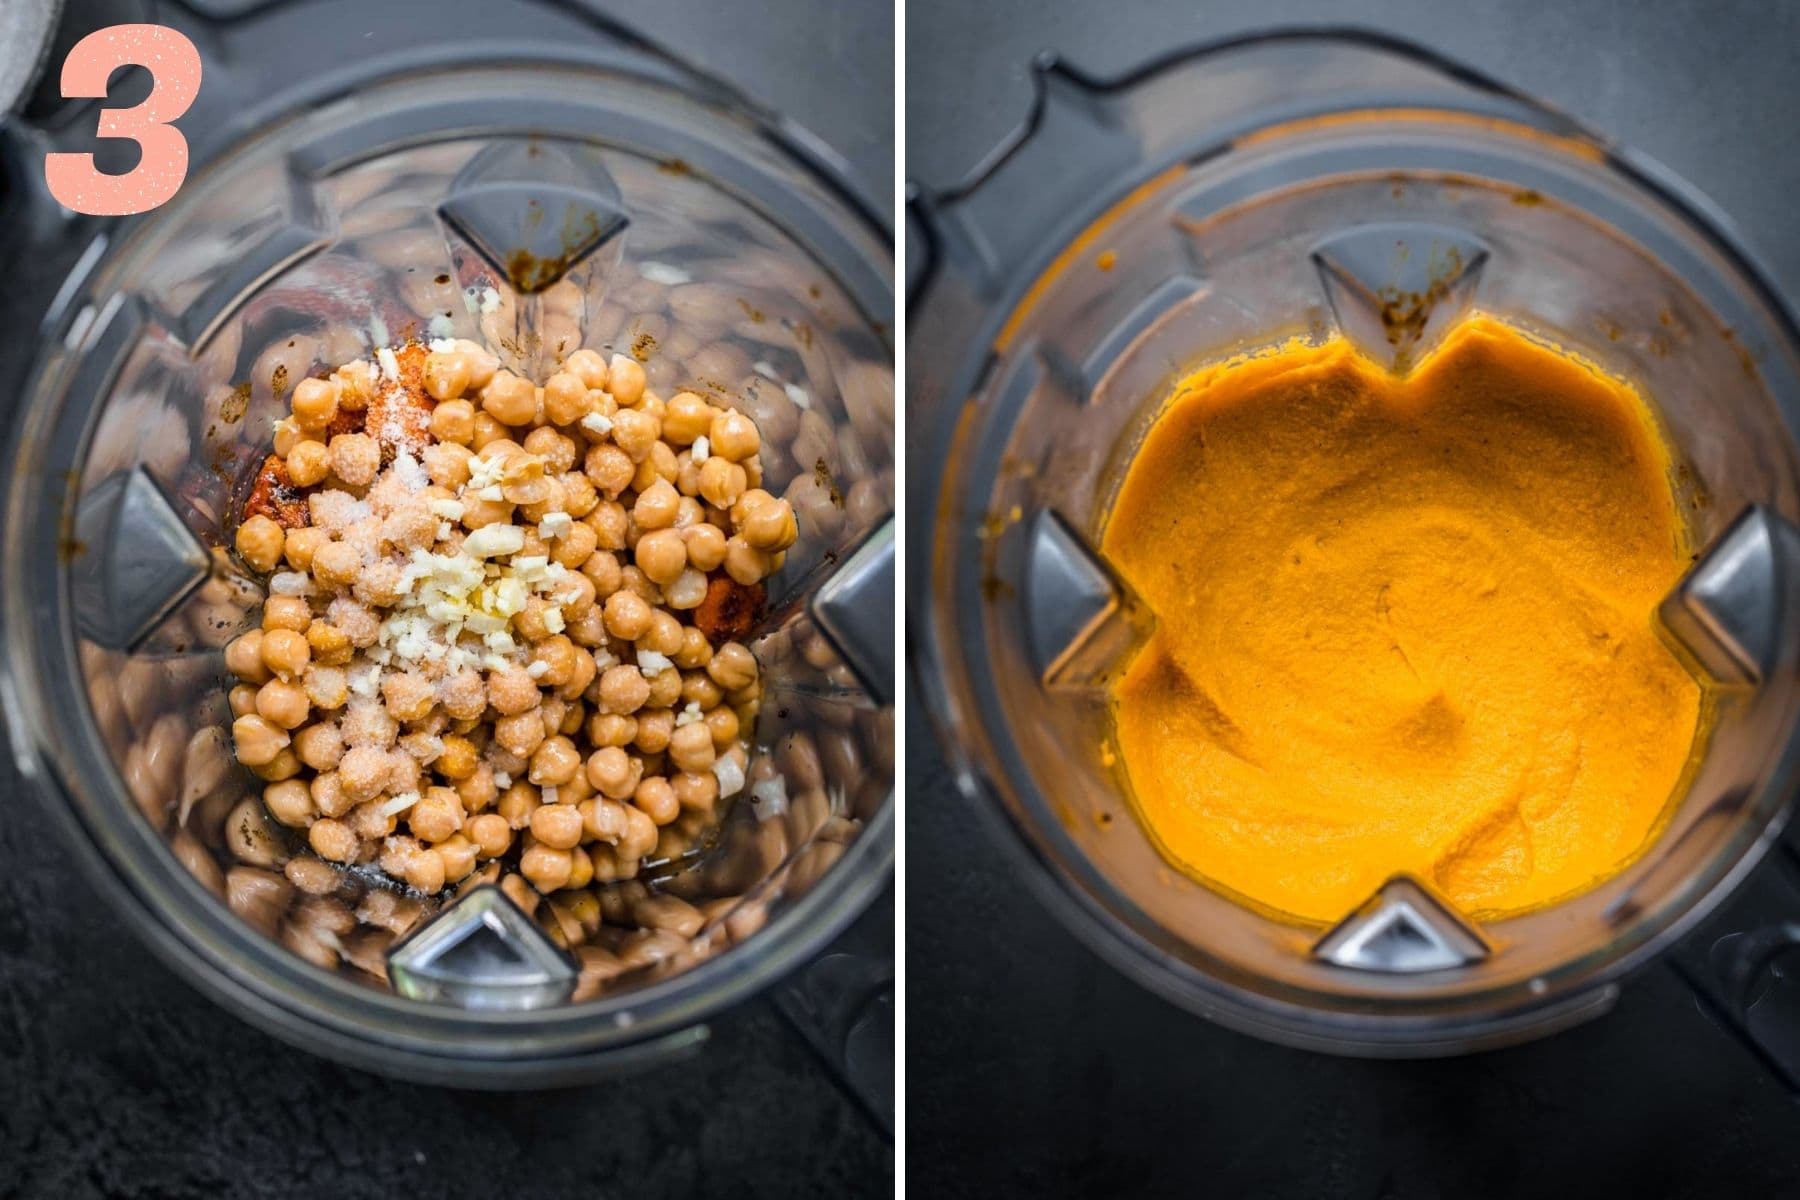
[1038, 1071]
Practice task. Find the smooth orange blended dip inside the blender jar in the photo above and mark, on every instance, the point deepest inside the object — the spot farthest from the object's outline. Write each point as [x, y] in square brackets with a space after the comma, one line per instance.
[1405, 625]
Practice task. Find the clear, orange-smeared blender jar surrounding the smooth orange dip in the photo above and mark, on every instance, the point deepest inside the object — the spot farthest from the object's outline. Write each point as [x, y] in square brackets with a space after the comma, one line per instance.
[1306, 184]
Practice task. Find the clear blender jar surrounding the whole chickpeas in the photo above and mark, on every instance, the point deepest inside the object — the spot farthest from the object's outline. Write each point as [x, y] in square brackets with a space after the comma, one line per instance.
[534, 199]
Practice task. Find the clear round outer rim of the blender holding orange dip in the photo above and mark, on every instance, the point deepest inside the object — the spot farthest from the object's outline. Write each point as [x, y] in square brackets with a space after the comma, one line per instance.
[962, 731]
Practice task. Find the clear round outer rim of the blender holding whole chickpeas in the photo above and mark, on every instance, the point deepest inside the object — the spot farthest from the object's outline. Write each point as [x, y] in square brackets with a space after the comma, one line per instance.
[211, 945]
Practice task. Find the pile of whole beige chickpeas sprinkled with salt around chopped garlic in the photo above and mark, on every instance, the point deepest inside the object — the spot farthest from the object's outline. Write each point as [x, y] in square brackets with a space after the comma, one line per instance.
[562, 764]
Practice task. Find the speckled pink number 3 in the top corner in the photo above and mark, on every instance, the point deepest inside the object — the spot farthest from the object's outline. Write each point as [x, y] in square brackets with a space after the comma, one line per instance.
[174, 66]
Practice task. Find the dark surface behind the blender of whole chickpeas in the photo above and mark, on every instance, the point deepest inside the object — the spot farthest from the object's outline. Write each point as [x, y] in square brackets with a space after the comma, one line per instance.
[120, 1080]
